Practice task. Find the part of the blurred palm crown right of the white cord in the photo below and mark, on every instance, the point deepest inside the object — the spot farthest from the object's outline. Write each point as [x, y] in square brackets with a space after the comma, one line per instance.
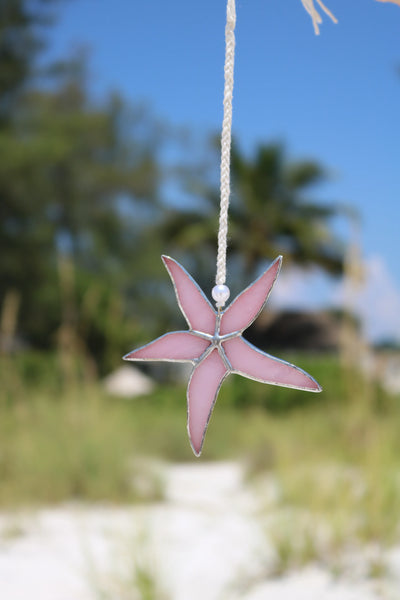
[271, 214]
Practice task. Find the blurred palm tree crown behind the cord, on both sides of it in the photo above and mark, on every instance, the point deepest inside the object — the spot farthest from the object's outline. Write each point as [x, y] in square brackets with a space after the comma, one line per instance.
[269, 214]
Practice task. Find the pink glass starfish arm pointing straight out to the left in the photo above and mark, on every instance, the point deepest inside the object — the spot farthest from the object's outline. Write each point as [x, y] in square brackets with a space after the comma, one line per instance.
[178, 345]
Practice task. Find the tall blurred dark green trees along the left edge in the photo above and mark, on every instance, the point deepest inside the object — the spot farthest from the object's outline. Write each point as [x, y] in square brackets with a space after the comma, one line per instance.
[72, 177]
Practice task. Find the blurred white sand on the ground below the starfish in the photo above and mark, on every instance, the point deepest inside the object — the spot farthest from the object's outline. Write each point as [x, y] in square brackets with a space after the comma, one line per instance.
[204, 542]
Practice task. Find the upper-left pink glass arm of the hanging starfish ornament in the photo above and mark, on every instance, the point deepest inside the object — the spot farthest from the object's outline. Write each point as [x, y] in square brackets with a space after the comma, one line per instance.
[194, 305]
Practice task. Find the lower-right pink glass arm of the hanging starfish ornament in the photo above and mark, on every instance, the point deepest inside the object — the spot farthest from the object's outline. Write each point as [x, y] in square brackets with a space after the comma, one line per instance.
[249, 361]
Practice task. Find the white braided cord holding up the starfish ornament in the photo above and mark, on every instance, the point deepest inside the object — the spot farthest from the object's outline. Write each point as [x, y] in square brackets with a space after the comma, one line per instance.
[226, 142]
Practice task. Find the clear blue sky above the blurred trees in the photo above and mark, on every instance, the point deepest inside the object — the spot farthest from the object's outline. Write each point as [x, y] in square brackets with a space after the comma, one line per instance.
[333, 97]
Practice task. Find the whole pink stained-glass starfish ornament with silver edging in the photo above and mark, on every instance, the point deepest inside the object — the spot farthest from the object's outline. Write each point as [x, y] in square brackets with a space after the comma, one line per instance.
[215, 346]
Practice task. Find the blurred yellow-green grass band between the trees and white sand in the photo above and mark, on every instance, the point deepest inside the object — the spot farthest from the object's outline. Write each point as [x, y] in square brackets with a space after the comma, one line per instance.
[337, 456]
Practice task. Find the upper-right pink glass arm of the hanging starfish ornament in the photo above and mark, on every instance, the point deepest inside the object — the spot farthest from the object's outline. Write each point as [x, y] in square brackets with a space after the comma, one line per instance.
[247, 306]
